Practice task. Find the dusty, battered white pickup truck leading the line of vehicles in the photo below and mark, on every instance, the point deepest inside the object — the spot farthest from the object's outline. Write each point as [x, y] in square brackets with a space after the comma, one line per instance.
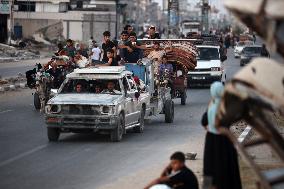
[97, 100]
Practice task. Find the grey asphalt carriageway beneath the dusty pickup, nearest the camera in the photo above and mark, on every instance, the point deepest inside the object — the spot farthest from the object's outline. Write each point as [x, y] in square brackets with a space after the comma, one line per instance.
[90, 161]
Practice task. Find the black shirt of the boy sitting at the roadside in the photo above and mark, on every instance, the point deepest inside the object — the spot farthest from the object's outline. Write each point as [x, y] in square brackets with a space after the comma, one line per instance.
[183, 179]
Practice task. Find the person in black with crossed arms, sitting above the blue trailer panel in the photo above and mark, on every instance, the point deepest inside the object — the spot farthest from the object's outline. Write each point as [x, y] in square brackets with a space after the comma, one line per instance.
[133, 50]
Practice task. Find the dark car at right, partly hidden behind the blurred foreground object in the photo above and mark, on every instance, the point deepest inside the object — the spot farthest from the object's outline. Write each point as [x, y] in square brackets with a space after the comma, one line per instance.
[248, 53]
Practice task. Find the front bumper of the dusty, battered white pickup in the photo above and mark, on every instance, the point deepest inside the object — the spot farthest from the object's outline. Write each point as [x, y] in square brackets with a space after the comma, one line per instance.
[81, 122]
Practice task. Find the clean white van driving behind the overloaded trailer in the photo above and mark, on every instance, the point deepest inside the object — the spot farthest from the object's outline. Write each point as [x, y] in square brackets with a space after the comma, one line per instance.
[209, 67]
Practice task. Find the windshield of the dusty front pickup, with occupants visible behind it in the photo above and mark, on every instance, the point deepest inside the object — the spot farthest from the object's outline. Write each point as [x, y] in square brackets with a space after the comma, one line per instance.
[100, 86]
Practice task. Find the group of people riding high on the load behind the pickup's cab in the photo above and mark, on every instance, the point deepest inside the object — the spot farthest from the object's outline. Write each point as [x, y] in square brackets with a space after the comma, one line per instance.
[111, 52]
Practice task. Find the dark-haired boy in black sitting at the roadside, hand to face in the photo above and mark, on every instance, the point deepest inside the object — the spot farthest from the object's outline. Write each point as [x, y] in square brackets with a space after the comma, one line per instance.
[175, 176]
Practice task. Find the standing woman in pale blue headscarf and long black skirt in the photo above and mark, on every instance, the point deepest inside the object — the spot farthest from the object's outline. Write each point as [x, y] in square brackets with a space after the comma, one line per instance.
[220, 164]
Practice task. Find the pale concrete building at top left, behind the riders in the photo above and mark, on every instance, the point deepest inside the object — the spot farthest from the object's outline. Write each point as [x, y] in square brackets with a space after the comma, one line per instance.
[80, 19]
